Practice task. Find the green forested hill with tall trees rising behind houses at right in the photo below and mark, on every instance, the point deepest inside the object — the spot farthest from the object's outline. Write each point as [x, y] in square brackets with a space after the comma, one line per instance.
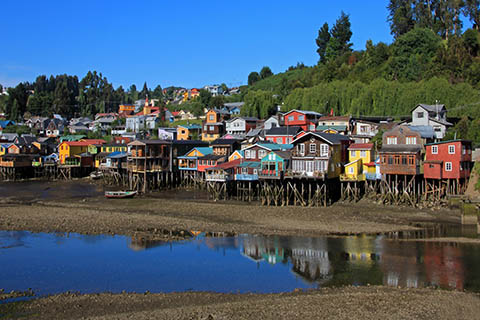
[430, 61]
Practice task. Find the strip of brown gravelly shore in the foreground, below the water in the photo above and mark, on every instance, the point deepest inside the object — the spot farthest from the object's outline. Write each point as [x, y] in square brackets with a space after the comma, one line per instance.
[331, 303]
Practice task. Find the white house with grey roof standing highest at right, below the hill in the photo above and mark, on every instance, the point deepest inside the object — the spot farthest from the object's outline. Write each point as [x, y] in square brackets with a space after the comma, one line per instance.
[434, 116]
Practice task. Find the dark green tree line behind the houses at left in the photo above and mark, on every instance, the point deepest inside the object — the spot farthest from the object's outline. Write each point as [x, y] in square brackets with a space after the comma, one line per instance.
[69, 96]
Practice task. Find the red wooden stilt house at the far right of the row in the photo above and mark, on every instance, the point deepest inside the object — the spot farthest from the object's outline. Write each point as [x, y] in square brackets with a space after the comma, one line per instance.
[448, 160]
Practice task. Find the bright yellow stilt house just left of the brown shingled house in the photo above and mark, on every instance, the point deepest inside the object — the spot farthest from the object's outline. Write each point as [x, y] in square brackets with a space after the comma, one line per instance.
[361, 164]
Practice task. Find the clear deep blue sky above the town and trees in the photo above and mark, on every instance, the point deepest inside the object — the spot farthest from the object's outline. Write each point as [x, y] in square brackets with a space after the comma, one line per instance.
[187, 43]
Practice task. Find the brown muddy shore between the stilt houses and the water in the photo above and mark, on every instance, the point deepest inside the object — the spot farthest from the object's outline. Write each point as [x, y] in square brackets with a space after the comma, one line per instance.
[153, 215]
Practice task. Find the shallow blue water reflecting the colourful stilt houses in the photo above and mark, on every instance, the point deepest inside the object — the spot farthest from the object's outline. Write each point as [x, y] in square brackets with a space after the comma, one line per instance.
[54, 263]
